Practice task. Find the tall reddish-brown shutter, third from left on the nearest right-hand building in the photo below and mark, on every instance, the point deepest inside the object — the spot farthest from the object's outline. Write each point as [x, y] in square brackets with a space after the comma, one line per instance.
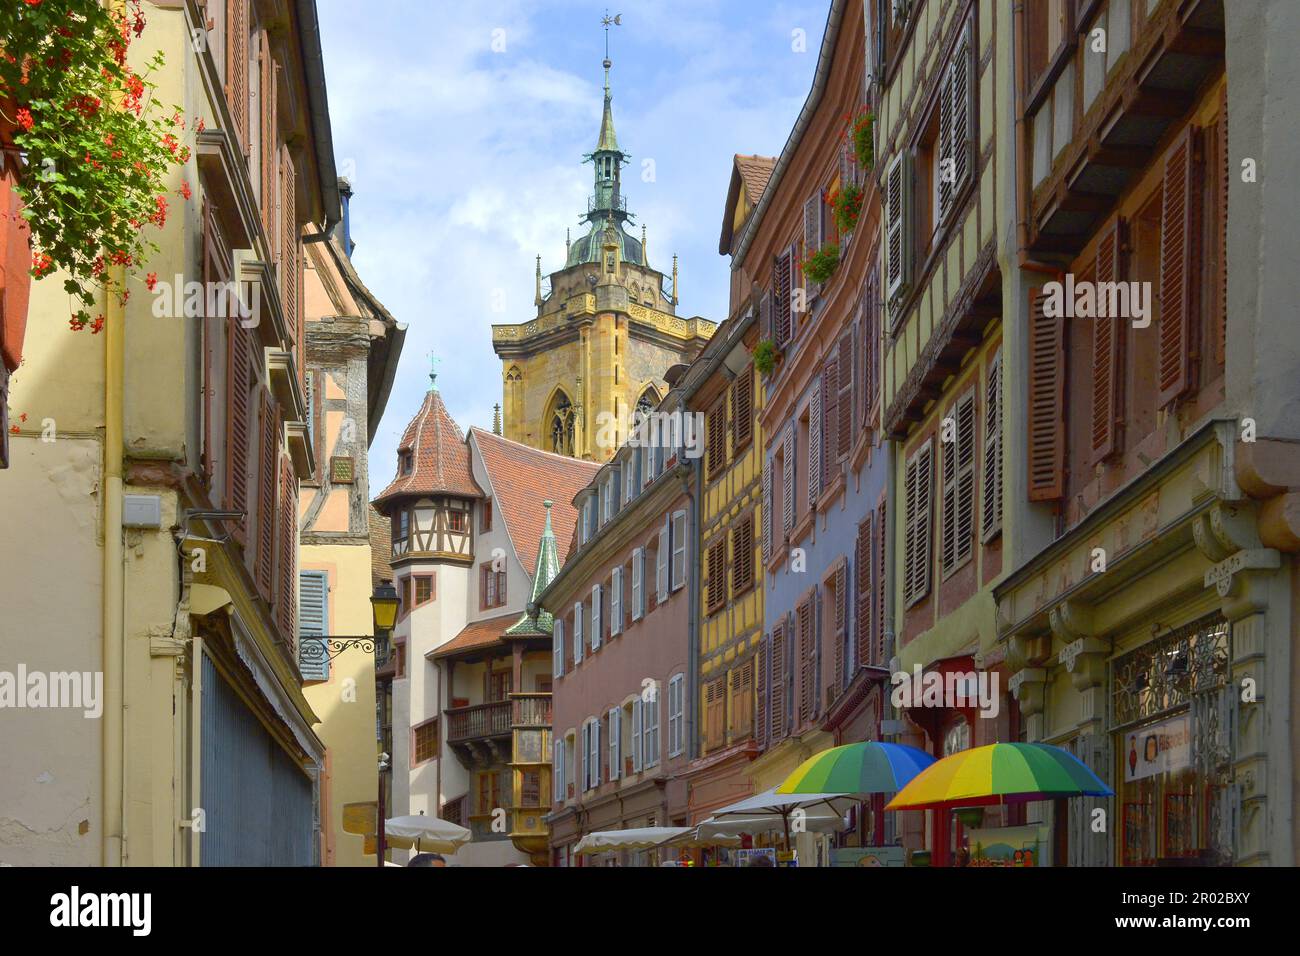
[1180, 276]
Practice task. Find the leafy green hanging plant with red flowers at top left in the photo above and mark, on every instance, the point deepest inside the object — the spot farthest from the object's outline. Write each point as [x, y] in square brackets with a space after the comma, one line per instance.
[98, 148]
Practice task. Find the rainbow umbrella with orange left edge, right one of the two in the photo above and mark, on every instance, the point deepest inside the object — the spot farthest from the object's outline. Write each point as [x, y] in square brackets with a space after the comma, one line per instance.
[1000, 775]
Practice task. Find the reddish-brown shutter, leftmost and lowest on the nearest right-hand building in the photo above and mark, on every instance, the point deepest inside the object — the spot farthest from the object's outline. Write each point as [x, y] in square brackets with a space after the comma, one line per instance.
[1047, 403]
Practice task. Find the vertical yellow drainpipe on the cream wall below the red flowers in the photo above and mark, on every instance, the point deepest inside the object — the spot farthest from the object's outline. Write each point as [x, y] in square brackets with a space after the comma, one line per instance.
[112, 602]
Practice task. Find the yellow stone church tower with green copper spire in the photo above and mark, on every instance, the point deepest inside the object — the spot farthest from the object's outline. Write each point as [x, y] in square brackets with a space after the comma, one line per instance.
[606, 328]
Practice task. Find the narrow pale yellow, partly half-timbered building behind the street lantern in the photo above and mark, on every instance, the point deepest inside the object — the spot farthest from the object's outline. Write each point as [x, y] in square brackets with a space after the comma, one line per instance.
[353, 351]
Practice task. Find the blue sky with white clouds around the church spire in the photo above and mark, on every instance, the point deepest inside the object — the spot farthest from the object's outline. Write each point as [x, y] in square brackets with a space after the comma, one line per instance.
[466, 161]
